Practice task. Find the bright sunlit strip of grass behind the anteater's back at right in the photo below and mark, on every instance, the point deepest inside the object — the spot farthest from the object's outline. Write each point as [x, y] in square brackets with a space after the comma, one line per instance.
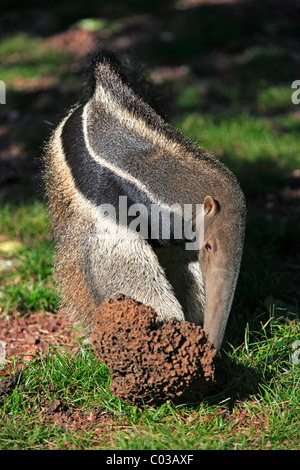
[245, 137]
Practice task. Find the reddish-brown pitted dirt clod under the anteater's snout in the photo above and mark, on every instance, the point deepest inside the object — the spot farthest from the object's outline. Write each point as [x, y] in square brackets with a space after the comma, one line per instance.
[151, 362]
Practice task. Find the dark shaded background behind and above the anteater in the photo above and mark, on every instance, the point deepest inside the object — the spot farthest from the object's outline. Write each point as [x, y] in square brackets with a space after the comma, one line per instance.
[228, 61]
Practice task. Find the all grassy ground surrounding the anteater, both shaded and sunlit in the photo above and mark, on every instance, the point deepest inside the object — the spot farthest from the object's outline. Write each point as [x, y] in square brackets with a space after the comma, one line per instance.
[231, 89]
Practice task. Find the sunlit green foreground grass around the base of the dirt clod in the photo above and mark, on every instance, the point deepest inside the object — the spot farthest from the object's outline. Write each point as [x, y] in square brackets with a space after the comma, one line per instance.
[80, 382]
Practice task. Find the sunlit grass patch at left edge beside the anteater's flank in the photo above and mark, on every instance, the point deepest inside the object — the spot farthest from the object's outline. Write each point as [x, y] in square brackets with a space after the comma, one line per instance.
[26, 269]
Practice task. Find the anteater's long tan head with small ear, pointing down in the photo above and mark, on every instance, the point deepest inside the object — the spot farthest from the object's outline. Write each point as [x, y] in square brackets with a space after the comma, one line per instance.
[220, 258]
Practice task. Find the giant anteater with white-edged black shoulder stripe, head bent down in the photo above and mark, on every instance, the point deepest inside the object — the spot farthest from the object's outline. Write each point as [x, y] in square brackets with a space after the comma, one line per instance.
[117, 145]
